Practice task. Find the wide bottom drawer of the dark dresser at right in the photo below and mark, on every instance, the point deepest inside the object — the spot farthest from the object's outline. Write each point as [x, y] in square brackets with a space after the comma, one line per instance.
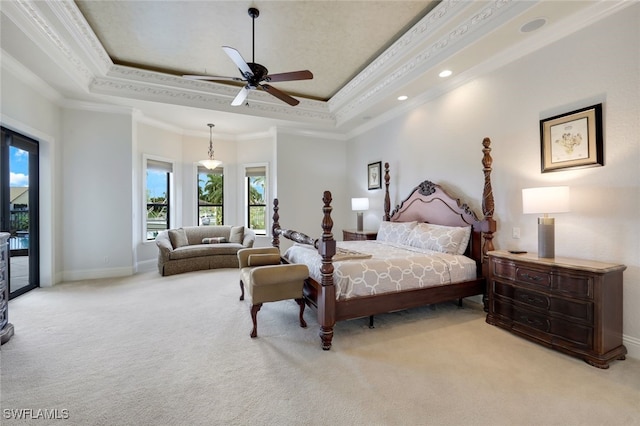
[544, 327]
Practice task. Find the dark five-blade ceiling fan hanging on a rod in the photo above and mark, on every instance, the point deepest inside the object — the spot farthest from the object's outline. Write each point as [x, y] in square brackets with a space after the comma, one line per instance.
[256, 75]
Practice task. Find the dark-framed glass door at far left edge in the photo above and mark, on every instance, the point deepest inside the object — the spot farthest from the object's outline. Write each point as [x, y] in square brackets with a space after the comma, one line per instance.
[19, 209]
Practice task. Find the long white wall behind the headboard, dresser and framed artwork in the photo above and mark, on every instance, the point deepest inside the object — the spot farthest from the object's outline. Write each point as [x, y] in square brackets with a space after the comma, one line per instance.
[441, 141]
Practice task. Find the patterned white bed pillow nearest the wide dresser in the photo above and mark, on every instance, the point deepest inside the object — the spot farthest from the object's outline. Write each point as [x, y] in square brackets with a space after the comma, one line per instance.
[445, 239]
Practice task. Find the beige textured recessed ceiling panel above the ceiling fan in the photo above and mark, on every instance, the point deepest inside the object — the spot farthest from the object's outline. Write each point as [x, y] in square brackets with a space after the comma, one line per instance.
[335, 40]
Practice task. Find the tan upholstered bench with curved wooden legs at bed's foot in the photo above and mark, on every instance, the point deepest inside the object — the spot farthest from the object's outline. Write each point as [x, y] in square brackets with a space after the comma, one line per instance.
[268, 280]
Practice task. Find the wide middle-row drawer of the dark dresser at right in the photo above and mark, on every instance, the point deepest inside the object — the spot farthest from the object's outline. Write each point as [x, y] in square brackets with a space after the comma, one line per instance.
[577, 310]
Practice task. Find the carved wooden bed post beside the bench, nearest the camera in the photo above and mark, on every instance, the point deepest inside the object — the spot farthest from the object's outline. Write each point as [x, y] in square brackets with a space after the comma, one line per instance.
[327, 298]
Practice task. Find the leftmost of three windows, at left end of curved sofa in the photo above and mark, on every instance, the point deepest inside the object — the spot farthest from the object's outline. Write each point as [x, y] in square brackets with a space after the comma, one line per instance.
[159, 179]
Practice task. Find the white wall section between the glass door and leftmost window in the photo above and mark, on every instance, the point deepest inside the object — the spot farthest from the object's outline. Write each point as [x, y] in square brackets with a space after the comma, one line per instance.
[97, 195]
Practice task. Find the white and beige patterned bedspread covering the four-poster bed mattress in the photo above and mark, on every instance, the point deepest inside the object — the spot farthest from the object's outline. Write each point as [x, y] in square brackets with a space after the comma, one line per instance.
[389, 268]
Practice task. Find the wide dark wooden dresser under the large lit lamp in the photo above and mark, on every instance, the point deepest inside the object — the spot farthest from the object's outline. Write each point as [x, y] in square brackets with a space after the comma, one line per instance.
[571, 305]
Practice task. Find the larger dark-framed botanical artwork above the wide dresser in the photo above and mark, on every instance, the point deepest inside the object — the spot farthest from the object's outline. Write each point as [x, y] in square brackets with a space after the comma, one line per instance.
[572, 140]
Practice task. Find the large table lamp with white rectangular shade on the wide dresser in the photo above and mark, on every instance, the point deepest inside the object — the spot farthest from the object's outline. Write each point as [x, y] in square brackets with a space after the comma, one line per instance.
[551, 199]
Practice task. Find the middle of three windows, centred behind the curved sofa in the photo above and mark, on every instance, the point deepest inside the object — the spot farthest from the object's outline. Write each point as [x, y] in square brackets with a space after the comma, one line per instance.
[210, 196]
